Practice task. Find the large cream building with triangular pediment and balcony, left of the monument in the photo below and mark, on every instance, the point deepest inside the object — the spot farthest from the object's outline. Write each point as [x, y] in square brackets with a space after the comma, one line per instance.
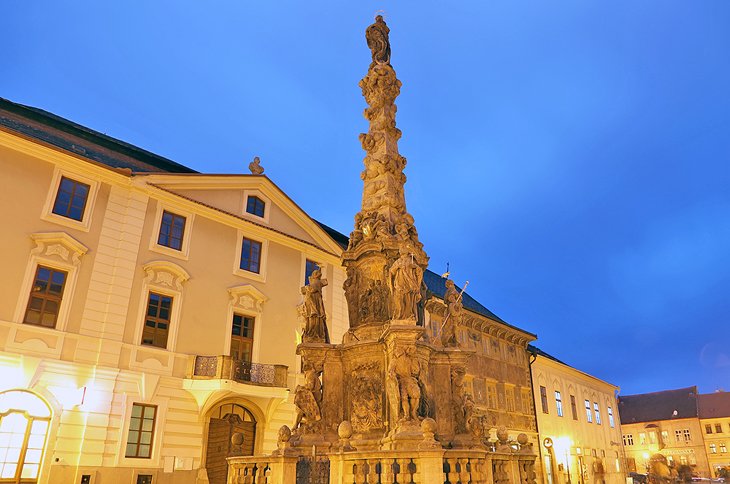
[147, 312]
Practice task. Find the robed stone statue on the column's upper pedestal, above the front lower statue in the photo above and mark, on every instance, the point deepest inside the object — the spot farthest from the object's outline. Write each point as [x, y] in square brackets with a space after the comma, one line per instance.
[405, 285]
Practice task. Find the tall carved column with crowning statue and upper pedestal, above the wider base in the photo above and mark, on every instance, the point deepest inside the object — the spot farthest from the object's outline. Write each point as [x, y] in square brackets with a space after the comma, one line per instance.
[385, 260]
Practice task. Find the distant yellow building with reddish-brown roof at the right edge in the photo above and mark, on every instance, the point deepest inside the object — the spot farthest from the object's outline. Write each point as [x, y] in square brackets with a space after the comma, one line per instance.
[714, 413]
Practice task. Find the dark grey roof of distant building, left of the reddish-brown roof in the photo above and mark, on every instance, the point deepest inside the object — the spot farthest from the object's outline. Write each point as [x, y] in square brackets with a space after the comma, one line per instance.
[664, 405]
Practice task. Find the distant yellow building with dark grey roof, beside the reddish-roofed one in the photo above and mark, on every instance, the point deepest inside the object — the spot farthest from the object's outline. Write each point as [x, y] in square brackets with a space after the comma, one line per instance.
[665, 423]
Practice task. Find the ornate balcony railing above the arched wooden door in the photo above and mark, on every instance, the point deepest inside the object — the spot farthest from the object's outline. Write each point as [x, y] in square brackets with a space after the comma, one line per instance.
[226, 368]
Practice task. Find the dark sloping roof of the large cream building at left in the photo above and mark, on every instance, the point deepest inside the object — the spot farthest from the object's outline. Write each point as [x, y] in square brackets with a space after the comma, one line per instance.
[82, 141]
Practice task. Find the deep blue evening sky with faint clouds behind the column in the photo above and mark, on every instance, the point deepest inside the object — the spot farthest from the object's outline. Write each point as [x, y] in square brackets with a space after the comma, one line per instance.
[569, 159]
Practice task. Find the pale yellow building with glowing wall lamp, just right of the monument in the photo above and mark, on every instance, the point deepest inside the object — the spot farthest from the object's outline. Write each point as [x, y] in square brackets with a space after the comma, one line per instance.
[578, 422]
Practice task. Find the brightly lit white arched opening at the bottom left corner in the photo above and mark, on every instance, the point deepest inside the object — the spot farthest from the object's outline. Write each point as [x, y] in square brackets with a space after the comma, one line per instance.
[24, 421]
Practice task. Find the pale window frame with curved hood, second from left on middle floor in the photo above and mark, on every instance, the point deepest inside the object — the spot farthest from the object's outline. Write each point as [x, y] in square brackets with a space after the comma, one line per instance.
[165, 278]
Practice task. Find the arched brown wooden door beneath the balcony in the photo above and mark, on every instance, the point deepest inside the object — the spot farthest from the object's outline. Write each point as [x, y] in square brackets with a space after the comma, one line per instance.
[225, 421]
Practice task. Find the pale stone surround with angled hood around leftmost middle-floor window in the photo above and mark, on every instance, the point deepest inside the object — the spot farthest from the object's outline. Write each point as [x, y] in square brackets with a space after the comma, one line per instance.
[56, 250]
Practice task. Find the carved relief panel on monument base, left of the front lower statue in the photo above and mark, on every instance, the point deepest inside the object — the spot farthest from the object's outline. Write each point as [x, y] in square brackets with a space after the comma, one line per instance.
[366, 406]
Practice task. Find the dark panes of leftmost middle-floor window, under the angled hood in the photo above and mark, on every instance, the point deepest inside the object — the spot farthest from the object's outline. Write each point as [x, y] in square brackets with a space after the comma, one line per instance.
[45, 297]
